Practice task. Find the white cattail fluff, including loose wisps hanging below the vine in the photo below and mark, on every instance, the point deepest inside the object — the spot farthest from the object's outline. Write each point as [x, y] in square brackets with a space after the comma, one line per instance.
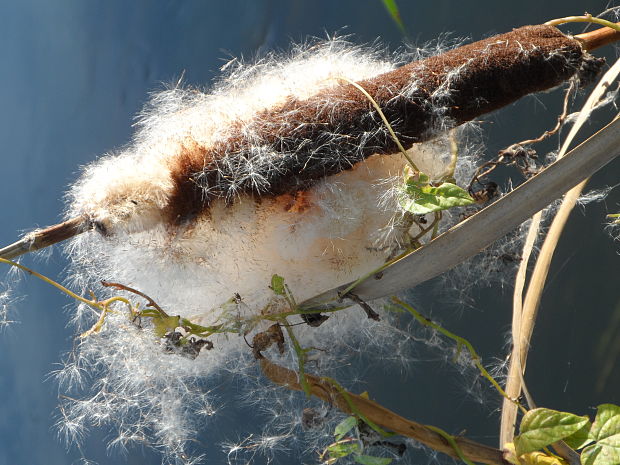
[218, 267]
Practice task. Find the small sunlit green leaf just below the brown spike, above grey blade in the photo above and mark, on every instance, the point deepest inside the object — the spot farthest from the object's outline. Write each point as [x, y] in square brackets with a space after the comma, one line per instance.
[423, 198]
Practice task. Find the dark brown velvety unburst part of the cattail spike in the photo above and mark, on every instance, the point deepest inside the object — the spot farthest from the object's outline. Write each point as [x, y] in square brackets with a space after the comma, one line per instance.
[307, 140]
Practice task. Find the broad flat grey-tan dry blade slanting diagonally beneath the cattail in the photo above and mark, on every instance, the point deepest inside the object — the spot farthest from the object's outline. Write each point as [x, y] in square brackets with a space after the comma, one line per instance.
[477, 232]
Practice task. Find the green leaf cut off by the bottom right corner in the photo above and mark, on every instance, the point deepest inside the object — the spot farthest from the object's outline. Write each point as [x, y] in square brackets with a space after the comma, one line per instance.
[606, 432]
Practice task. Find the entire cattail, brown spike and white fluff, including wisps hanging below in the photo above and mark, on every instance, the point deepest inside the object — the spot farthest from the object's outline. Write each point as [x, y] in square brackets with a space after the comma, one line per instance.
[281, 168]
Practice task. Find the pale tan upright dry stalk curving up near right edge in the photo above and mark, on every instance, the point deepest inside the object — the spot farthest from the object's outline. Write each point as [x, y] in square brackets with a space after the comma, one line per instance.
[524, 317]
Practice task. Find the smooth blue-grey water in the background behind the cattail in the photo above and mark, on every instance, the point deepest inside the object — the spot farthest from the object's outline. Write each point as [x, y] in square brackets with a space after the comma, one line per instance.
[75, 73]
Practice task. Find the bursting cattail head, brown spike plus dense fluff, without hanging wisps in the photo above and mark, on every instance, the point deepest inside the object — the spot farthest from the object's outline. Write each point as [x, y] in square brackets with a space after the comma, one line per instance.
[280, 168]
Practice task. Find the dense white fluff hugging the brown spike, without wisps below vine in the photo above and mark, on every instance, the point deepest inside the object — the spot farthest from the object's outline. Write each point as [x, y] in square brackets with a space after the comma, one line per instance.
[324, 236]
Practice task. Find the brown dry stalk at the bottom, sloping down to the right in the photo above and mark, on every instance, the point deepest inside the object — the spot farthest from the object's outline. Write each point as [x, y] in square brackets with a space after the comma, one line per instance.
[381, 416]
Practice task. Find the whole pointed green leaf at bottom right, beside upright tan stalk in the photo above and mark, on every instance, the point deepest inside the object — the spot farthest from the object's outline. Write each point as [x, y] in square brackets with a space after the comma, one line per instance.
[541, 427]
